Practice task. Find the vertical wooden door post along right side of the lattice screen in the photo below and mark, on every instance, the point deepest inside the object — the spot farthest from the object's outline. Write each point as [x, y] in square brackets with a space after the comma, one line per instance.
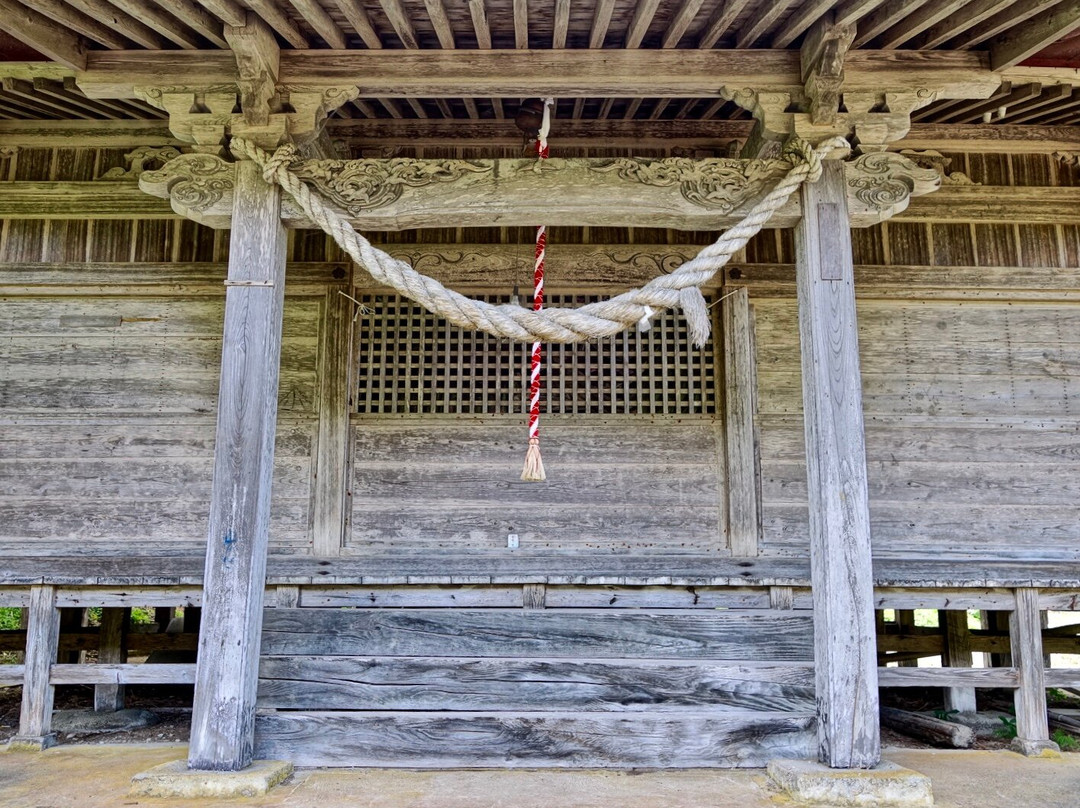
[745, 524]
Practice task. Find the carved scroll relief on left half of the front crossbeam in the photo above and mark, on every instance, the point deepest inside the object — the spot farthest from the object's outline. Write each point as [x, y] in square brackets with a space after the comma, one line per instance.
[359, 185]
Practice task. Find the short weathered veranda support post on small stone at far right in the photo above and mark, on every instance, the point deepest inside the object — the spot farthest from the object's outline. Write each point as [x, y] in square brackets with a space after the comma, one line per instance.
[1025, 640]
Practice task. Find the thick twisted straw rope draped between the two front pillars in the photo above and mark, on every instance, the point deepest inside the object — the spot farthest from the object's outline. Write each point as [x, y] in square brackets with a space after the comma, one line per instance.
[603, 319]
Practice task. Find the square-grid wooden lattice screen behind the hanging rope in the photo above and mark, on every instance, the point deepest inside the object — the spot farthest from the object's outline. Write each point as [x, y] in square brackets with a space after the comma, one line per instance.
[413, 363]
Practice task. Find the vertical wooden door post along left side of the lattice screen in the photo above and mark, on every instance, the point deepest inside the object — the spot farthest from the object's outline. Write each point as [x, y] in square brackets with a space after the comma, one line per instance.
[329, 492]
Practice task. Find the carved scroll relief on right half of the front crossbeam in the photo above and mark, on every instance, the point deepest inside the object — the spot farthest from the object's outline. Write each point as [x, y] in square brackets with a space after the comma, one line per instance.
[717, 185]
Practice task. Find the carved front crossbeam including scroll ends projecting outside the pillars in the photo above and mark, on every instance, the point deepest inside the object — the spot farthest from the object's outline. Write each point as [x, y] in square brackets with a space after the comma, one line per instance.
[679, 193]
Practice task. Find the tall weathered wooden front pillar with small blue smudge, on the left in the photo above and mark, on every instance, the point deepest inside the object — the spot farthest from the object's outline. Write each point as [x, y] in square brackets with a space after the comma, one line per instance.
[224, 710]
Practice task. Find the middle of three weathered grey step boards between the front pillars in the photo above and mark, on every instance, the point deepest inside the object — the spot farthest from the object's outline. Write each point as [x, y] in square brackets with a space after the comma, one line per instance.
[464, 684]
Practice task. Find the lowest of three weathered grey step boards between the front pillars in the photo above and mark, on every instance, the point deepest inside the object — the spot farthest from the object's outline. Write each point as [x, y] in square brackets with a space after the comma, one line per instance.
[611, 740]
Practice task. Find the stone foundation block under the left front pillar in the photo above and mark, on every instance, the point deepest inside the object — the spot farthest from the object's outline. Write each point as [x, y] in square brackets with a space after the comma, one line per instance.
[175, 780]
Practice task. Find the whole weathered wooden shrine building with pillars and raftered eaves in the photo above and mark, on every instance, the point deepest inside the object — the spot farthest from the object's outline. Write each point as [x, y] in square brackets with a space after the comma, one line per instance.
[206, 402]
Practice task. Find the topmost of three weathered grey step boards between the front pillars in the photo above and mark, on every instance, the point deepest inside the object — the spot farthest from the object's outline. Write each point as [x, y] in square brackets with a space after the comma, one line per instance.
[551, 634]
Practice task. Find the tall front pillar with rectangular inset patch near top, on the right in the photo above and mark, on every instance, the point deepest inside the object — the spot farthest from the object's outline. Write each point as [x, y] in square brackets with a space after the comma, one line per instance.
[845, 645]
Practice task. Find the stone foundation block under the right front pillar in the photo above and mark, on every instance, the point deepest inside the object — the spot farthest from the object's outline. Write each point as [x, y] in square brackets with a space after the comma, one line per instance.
[886, 786]
